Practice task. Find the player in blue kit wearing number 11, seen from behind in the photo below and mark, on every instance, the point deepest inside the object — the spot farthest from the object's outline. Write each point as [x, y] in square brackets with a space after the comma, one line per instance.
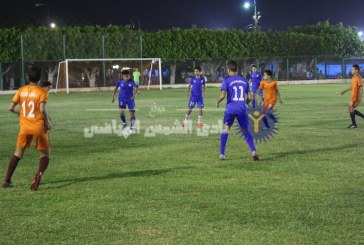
[235, 88]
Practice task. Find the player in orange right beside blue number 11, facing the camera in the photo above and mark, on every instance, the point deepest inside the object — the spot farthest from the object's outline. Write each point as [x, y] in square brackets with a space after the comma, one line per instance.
[271, 92]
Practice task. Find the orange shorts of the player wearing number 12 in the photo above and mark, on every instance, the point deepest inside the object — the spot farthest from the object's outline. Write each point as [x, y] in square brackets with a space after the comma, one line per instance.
[25, 140]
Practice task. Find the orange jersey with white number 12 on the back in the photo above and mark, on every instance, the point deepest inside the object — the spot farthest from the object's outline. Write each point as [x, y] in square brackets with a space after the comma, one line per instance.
[29, 98]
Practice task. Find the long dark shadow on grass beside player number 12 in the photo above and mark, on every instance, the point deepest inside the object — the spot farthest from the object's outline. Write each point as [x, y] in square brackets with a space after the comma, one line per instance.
[142, 173]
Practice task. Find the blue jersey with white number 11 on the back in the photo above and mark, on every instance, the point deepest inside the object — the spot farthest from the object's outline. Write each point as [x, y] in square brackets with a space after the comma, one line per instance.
[236, 88]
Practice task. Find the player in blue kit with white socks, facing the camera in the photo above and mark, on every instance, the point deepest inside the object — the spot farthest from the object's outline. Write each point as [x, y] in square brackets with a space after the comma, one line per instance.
[198, 92]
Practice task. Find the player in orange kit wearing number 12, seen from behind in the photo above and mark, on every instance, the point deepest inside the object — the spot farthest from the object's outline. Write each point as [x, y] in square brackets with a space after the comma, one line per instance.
[34, 125]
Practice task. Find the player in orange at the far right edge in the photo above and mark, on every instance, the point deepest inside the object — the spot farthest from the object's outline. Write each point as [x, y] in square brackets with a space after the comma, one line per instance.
[356, 95]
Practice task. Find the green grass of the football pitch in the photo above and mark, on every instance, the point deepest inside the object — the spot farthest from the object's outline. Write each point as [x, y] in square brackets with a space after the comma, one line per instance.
[307, 188]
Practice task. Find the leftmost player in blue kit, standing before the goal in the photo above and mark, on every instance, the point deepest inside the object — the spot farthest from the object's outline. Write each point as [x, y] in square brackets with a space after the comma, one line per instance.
[128, 90]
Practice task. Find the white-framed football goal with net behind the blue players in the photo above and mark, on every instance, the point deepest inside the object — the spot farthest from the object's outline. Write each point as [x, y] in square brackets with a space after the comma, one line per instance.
[103, 74]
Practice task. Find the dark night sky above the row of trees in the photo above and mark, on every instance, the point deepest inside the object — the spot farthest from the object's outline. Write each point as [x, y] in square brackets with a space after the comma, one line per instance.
[163, 14]
